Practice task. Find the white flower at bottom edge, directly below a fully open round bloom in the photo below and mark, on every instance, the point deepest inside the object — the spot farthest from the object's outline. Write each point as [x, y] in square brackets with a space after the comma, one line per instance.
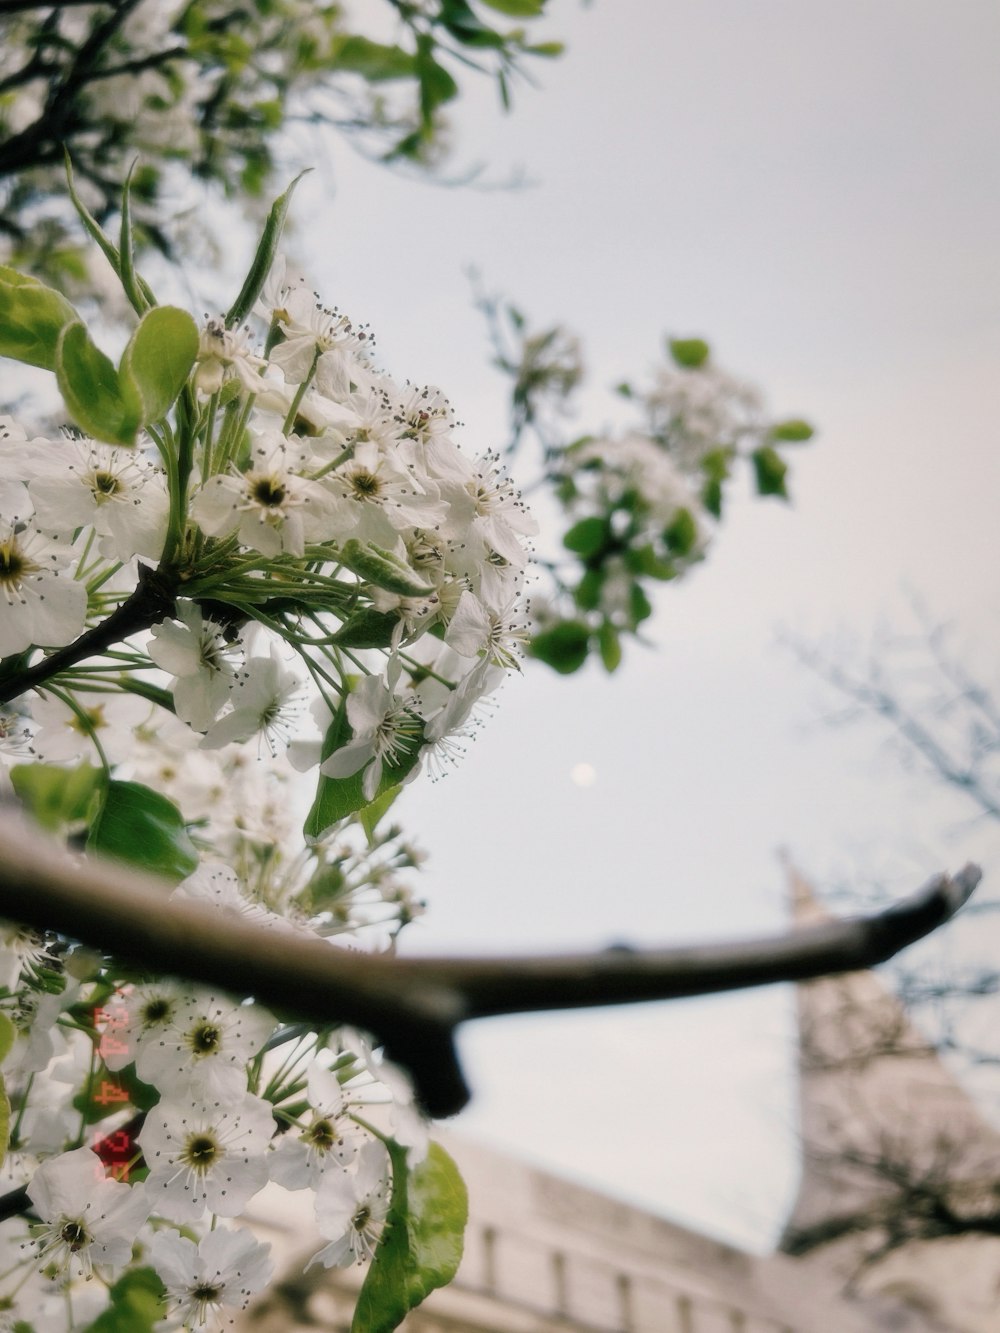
[207, 1280]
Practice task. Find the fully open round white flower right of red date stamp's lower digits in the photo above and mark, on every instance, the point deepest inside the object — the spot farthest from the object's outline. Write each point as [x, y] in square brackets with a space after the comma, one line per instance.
[206, 1156]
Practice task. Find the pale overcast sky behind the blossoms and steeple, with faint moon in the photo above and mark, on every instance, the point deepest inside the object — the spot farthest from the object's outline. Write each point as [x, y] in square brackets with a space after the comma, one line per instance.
[814, 187]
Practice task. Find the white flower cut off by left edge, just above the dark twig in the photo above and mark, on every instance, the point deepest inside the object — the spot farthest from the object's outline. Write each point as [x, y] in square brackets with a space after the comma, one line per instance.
[41, 602]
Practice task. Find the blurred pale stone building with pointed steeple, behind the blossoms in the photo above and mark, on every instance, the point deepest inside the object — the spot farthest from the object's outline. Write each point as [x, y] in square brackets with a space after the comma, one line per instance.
[889, 1138]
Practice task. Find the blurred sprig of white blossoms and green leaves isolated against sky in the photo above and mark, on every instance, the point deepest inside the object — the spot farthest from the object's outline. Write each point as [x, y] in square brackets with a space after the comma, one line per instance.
[639, 505]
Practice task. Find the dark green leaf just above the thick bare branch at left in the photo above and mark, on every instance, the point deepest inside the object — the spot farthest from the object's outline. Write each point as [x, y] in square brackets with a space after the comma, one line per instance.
[142, 827]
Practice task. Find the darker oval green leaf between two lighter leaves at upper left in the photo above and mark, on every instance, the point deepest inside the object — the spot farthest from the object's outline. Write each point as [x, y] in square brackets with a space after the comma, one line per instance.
[98, 401]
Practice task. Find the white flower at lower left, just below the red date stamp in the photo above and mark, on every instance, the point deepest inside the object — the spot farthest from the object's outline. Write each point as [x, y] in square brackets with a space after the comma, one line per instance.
[87, 1218]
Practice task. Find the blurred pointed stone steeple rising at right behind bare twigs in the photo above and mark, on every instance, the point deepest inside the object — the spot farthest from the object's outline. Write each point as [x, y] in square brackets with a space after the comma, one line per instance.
[882, 1118]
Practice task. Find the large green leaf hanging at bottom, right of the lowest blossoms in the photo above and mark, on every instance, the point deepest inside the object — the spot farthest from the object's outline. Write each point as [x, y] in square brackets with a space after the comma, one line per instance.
[422, 1244]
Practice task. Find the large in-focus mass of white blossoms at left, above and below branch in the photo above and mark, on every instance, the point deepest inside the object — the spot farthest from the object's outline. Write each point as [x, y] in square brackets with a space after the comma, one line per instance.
[286, 566]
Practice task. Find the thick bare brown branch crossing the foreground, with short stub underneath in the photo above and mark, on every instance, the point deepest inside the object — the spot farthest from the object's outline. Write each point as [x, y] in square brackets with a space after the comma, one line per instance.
[414, 1006]
